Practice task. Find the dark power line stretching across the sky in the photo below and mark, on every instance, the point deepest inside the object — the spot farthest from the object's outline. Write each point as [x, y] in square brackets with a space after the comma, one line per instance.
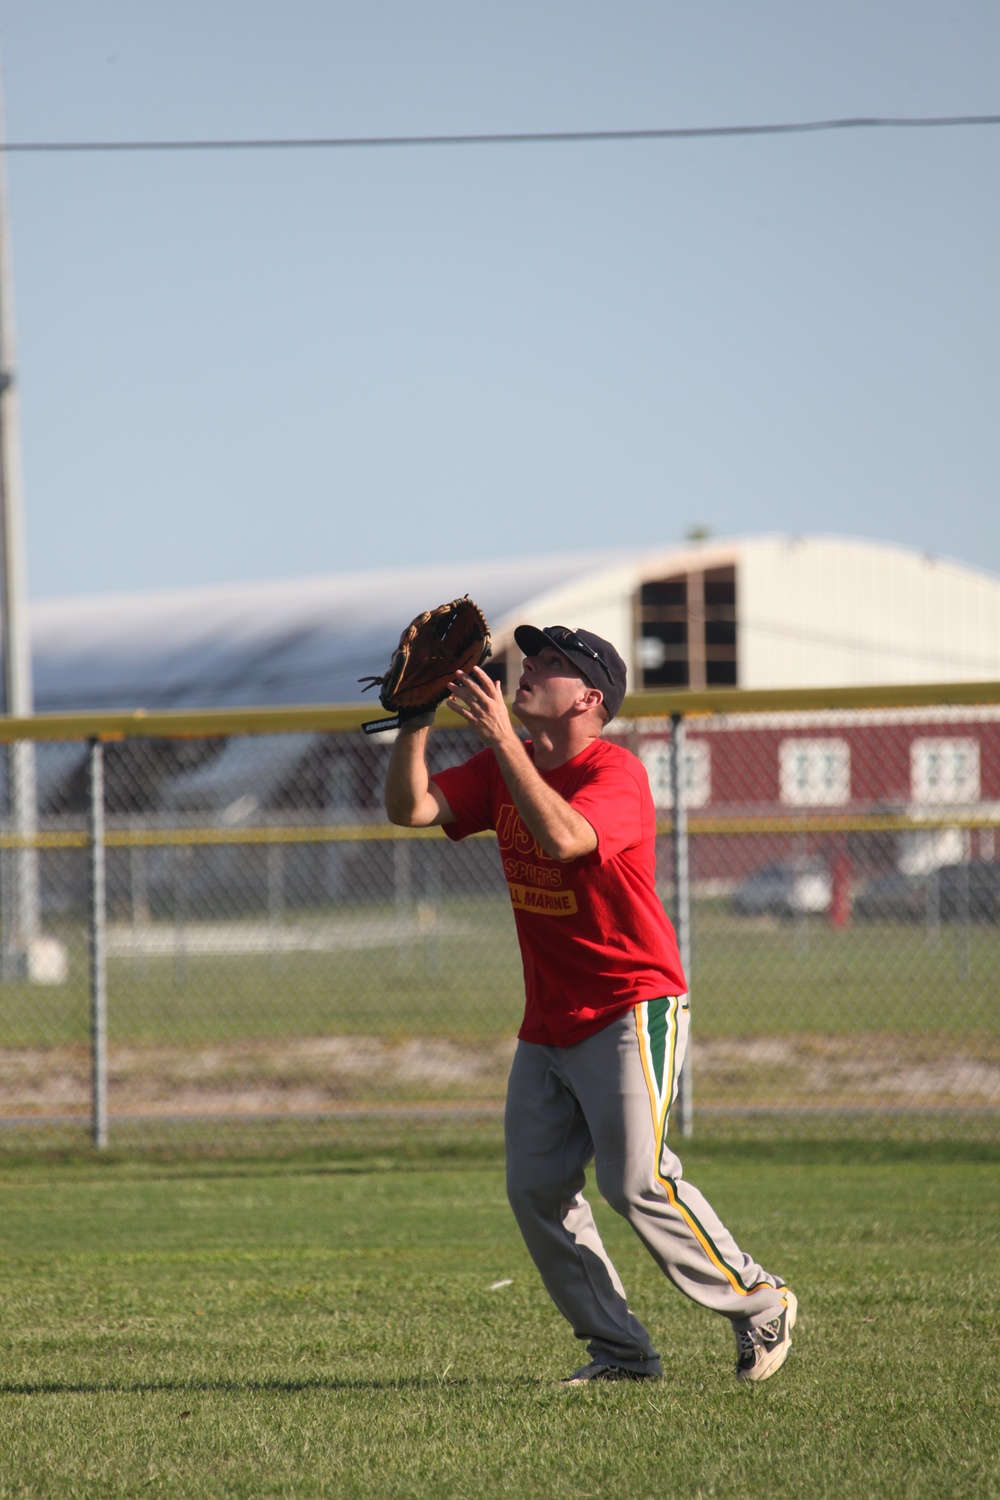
[509, 139]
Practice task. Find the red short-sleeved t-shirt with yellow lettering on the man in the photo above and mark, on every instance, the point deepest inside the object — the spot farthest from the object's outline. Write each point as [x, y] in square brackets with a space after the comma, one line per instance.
[594, 937]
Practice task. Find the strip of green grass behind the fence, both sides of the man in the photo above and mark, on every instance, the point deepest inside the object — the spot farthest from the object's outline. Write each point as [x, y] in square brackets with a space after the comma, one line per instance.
[749, 977]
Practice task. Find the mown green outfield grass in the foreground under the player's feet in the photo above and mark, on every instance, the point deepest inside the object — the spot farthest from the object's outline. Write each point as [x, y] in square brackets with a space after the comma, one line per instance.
[322, 1328]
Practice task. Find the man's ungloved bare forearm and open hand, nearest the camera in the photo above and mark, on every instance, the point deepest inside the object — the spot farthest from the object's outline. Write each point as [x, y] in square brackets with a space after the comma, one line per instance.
[561, 832]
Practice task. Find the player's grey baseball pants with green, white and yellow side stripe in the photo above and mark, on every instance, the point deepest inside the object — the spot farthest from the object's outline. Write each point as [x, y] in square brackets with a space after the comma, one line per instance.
[608, 1100]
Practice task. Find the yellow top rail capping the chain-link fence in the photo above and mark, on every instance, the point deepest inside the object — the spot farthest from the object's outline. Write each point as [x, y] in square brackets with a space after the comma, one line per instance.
[199, 724]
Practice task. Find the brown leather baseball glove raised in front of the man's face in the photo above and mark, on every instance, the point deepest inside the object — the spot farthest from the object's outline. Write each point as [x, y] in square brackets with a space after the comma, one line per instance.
[433, 649]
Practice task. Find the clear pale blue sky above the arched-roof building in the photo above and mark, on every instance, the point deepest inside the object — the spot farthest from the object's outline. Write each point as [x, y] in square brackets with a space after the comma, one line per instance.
[284, 364]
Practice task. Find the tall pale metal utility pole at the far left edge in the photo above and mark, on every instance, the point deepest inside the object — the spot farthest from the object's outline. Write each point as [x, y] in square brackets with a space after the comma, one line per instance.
[17, 652]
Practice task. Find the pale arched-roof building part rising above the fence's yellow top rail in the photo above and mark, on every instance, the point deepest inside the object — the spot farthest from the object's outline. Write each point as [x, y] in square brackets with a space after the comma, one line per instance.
[768, 611]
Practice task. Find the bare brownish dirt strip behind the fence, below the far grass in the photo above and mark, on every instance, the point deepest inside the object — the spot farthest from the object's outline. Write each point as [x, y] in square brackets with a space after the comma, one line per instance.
[320, 1075]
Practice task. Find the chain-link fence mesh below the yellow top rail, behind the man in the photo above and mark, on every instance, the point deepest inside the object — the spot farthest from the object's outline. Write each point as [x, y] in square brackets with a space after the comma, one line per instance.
[215, 941]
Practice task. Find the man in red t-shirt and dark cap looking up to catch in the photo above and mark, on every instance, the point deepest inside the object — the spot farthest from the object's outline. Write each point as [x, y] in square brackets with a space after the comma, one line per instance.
[606, 1016]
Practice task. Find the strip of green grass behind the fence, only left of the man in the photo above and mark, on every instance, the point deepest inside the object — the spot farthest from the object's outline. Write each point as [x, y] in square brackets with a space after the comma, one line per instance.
[424, 986]
